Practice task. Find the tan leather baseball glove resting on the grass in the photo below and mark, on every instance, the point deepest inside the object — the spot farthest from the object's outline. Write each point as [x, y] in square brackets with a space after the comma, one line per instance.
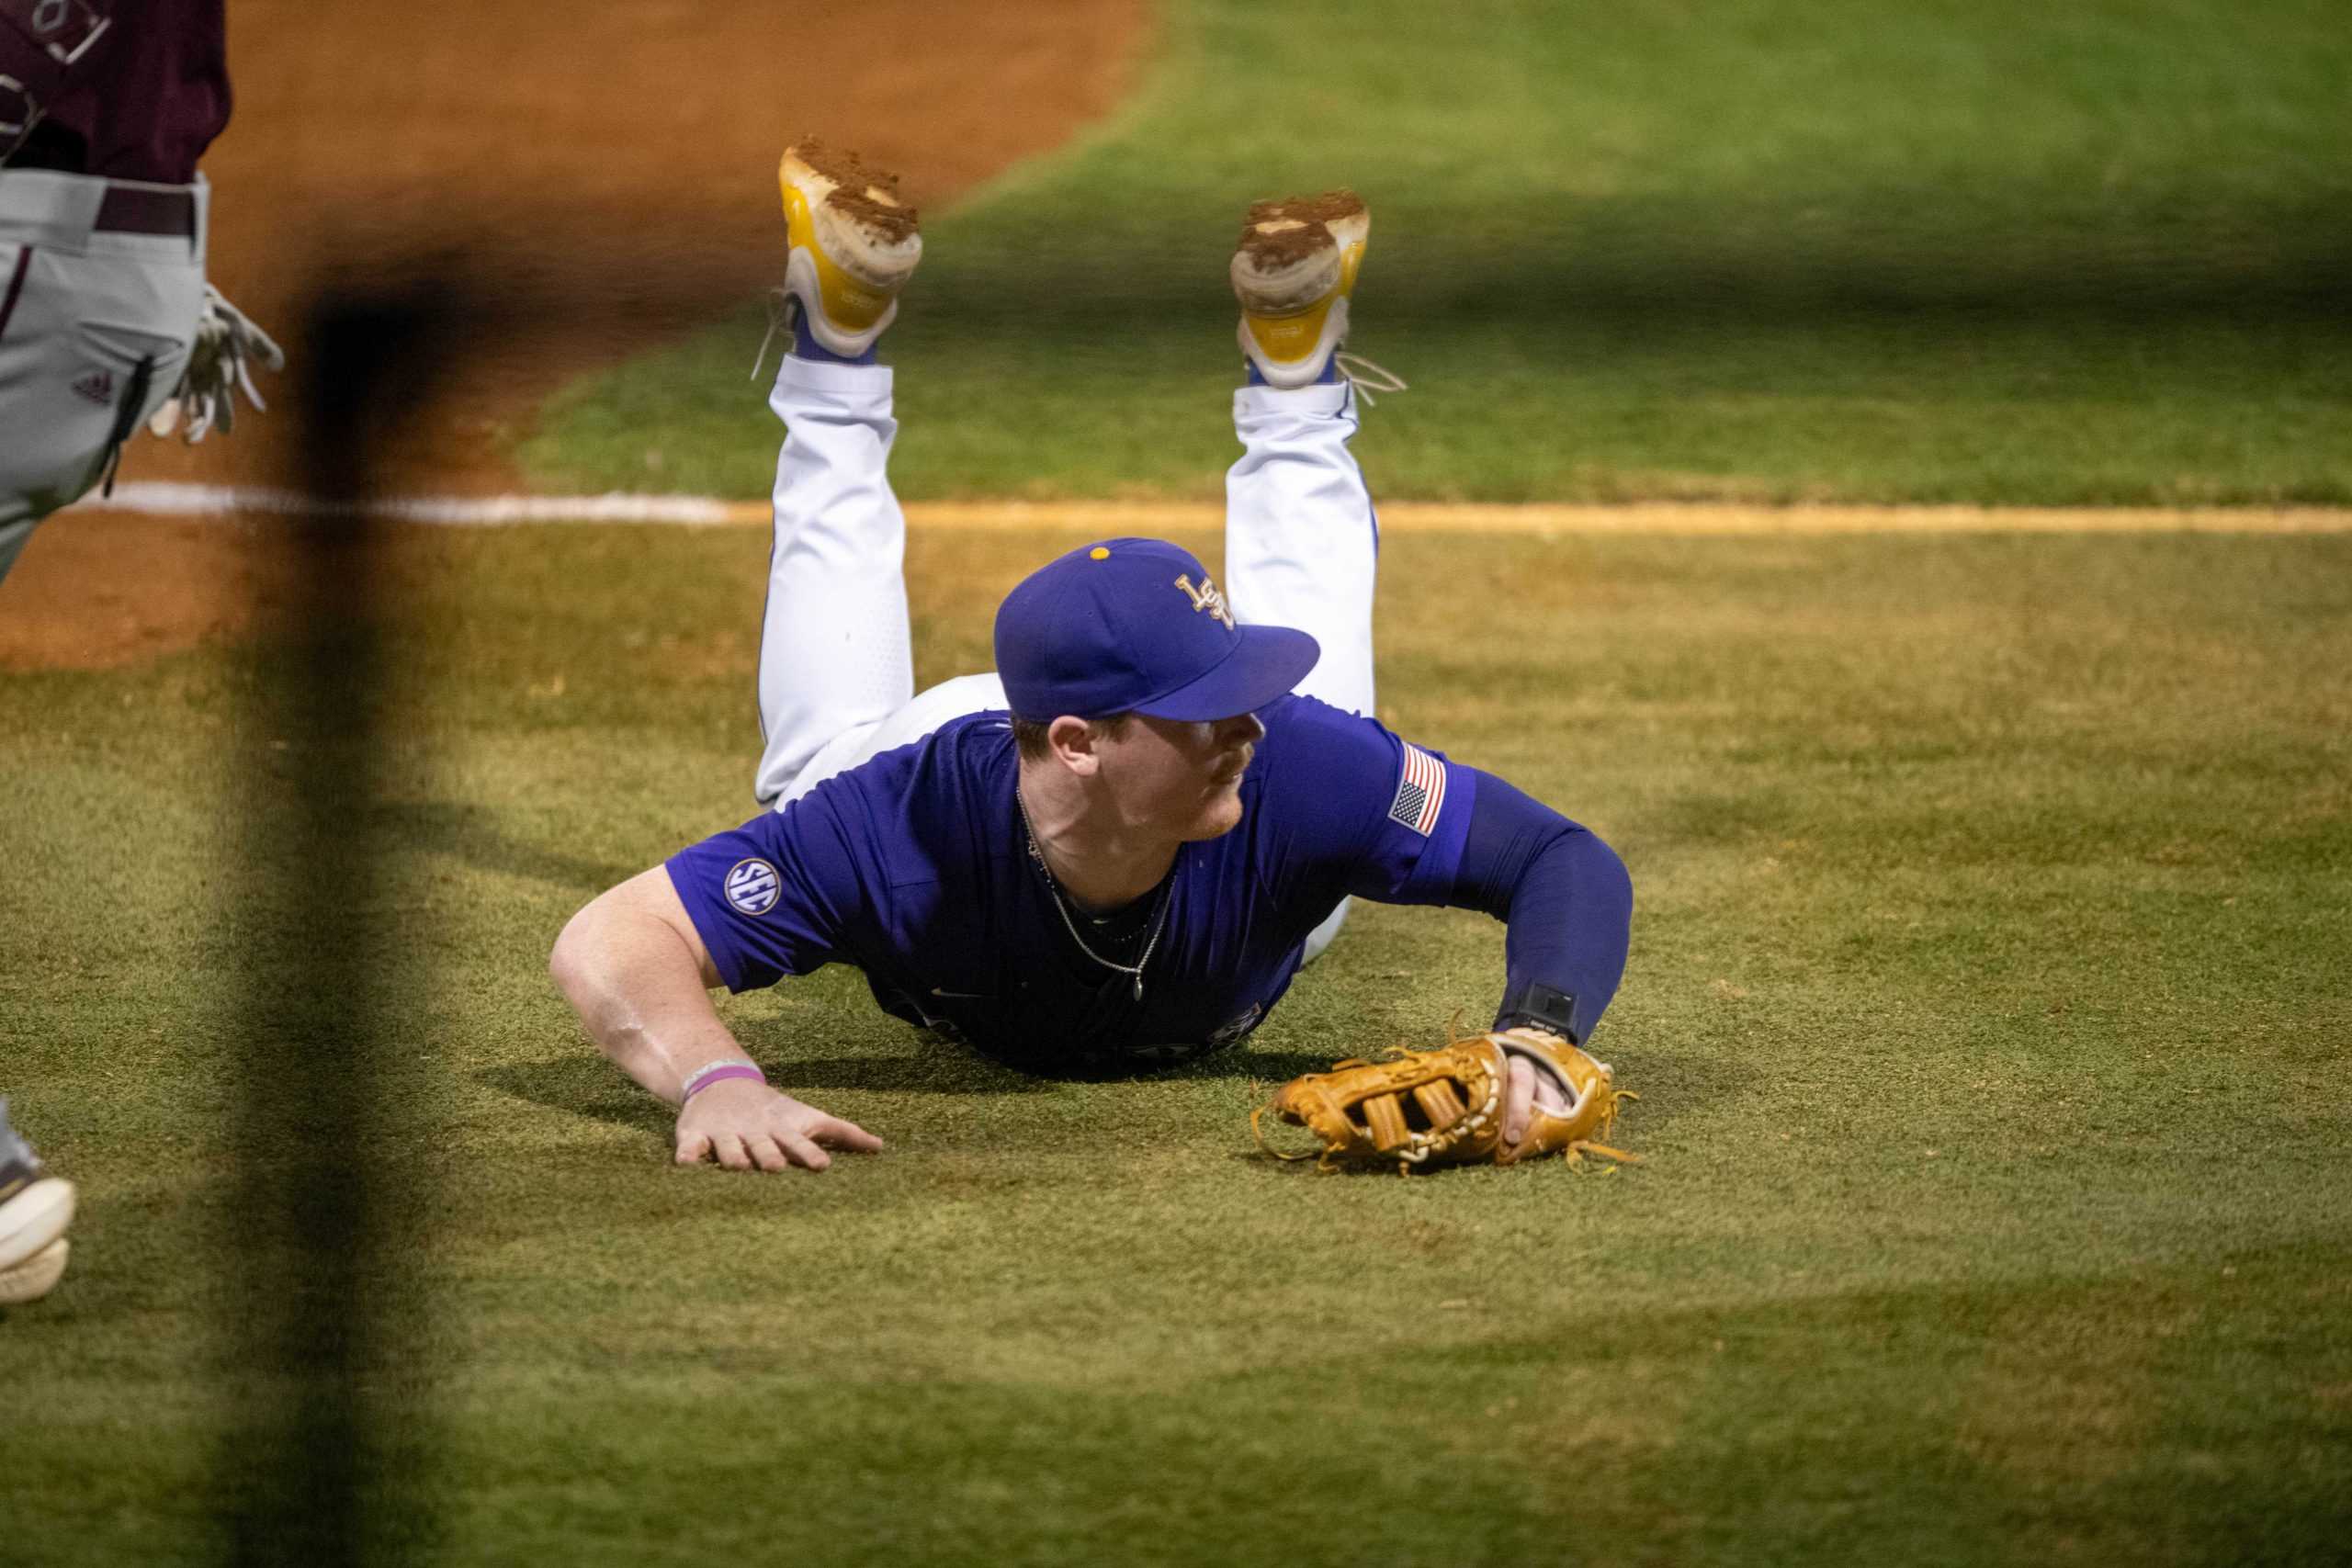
[1445, 1106]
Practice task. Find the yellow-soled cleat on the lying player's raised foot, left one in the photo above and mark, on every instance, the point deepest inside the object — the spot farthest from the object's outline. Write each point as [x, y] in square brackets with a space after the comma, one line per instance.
[853, 246]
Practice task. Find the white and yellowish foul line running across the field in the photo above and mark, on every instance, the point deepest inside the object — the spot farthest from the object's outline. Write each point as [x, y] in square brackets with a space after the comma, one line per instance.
[175, 500]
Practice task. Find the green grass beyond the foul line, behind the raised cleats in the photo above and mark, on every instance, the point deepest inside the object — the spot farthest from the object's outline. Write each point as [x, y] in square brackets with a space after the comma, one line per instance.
[1946, 250]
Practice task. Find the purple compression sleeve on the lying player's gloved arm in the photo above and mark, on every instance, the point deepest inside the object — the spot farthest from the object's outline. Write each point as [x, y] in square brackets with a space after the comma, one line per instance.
[1565, 899]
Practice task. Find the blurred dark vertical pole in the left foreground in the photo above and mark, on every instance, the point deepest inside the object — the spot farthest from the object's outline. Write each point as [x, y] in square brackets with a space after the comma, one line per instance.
[319, 1289]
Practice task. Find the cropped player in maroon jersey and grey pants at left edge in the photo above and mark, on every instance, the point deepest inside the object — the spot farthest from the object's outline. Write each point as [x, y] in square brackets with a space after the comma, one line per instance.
[105, 311]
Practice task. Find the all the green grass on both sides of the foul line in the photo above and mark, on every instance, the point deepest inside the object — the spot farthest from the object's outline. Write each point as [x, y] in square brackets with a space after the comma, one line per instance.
[1993, 890]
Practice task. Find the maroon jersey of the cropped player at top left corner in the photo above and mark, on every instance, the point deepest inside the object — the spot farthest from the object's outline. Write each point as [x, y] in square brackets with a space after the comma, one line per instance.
[142, 102]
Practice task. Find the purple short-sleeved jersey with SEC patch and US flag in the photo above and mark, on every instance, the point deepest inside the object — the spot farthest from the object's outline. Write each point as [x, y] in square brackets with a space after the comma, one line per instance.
[916, 869]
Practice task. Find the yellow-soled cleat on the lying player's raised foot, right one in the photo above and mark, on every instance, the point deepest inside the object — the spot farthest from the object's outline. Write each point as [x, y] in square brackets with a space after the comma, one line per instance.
[1295, 272]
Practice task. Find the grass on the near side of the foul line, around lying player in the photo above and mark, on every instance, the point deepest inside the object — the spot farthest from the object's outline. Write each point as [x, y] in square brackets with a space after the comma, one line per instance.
[1986, 1005]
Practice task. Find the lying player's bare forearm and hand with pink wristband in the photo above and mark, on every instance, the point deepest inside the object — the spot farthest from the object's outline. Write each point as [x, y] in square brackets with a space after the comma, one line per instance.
[641, 979]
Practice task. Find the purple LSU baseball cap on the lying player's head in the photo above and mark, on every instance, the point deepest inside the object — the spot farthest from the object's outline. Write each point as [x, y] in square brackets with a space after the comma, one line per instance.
[1137, 626]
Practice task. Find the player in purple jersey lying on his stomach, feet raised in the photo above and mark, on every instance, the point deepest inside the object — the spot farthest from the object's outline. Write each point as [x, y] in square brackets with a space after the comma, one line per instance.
[1123, 845]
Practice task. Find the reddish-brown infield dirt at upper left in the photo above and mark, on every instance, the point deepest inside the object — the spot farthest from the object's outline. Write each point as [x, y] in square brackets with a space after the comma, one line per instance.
[608, 163]
